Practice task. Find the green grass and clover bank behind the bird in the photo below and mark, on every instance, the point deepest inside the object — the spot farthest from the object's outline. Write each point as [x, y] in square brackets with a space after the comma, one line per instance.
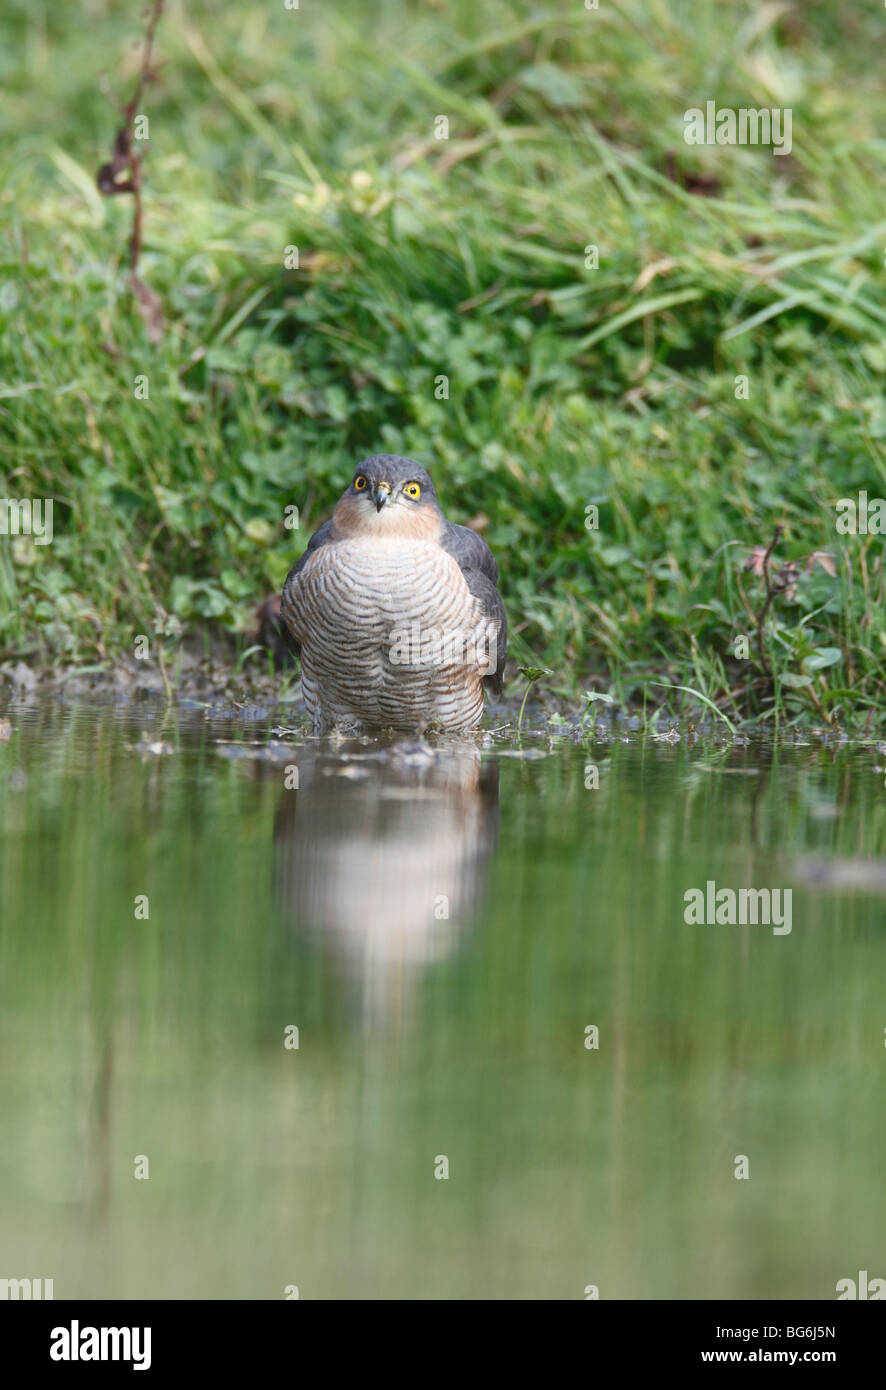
[568, 387]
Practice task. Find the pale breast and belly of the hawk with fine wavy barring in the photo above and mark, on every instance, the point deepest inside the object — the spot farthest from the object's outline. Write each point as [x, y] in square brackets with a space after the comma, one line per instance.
[390, 635]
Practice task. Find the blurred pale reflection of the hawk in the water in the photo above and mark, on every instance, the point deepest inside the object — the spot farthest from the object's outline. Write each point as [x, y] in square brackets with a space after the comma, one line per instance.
[382, 860]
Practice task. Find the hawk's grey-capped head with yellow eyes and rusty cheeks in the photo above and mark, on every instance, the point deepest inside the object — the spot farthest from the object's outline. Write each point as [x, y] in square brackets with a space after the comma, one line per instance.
[390, 497]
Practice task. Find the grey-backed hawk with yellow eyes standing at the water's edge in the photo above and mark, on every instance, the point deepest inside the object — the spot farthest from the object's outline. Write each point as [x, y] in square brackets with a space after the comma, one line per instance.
[394, 611]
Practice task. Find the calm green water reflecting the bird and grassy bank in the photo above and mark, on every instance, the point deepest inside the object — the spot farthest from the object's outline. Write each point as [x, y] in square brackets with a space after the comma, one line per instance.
[443, 929]
